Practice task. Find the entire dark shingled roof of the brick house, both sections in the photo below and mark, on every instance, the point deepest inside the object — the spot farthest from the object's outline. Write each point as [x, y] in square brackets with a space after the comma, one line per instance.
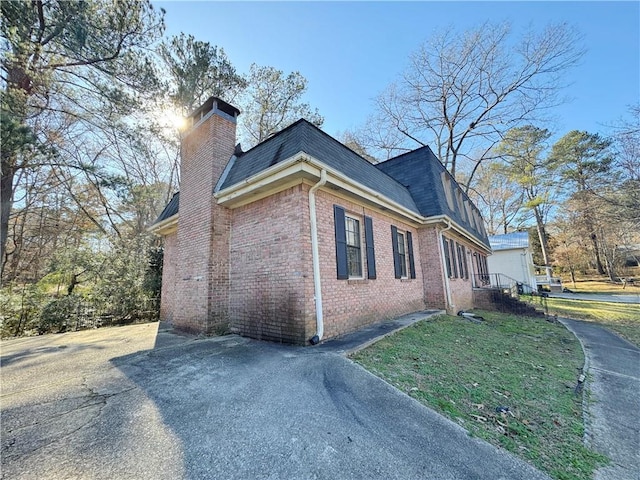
[413, 180]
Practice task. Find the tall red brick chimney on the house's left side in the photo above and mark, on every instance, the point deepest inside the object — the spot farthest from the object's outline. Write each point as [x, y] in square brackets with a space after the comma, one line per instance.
[202, 269]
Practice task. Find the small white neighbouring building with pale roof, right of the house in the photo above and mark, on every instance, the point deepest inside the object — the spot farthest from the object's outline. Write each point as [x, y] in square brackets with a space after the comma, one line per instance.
[512, 258]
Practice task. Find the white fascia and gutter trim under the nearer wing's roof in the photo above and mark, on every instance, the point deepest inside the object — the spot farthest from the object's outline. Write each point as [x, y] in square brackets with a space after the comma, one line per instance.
[303, 162]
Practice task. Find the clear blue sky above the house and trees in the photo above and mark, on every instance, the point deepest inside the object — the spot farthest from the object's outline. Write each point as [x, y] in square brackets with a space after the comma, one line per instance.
[349, 51]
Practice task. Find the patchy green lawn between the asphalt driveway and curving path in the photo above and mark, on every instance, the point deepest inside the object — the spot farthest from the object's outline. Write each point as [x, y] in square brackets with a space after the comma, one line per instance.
[466, 371]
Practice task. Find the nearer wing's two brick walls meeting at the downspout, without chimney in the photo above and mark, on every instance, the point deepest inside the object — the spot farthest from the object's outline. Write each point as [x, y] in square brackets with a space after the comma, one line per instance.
[271, 270]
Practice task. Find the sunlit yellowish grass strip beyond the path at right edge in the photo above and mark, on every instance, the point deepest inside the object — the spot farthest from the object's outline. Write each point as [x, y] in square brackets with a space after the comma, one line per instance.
[622, 318]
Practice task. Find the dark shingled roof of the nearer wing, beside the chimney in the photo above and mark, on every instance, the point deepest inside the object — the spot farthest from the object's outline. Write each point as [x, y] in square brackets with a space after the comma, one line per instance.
[303, 136]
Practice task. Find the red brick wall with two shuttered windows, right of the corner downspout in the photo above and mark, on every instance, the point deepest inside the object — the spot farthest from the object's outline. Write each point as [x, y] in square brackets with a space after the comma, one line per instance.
[350, 304]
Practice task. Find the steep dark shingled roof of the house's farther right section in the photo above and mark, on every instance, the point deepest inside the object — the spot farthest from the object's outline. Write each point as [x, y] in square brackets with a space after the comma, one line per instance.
[421, 172]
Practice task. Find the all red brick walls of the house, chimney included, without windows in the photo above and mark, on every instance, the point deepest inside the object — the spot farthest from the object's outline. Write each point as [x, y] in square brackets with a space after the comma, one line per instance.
[251, 267]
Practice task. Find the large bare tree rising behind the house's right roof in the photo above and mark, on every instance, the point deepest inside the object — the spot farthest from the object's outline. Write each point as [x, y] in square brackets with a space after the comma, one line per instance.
[462, 91]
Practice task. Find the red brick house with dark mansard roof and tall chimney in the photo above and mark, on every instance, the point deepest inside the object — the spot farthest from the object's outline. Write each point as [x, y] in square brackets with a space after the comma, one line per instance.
[300, 239]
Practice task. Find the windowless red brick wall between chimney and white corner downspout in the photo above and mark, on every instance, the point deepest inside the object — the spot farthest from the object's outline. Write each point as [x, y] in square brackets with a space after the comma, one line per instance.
[271, 269]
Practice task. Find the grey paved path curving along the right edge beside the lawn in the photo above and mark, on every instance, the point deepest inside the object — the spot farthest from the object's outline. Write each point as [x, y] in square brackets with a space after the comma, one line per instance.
[613, 365]
